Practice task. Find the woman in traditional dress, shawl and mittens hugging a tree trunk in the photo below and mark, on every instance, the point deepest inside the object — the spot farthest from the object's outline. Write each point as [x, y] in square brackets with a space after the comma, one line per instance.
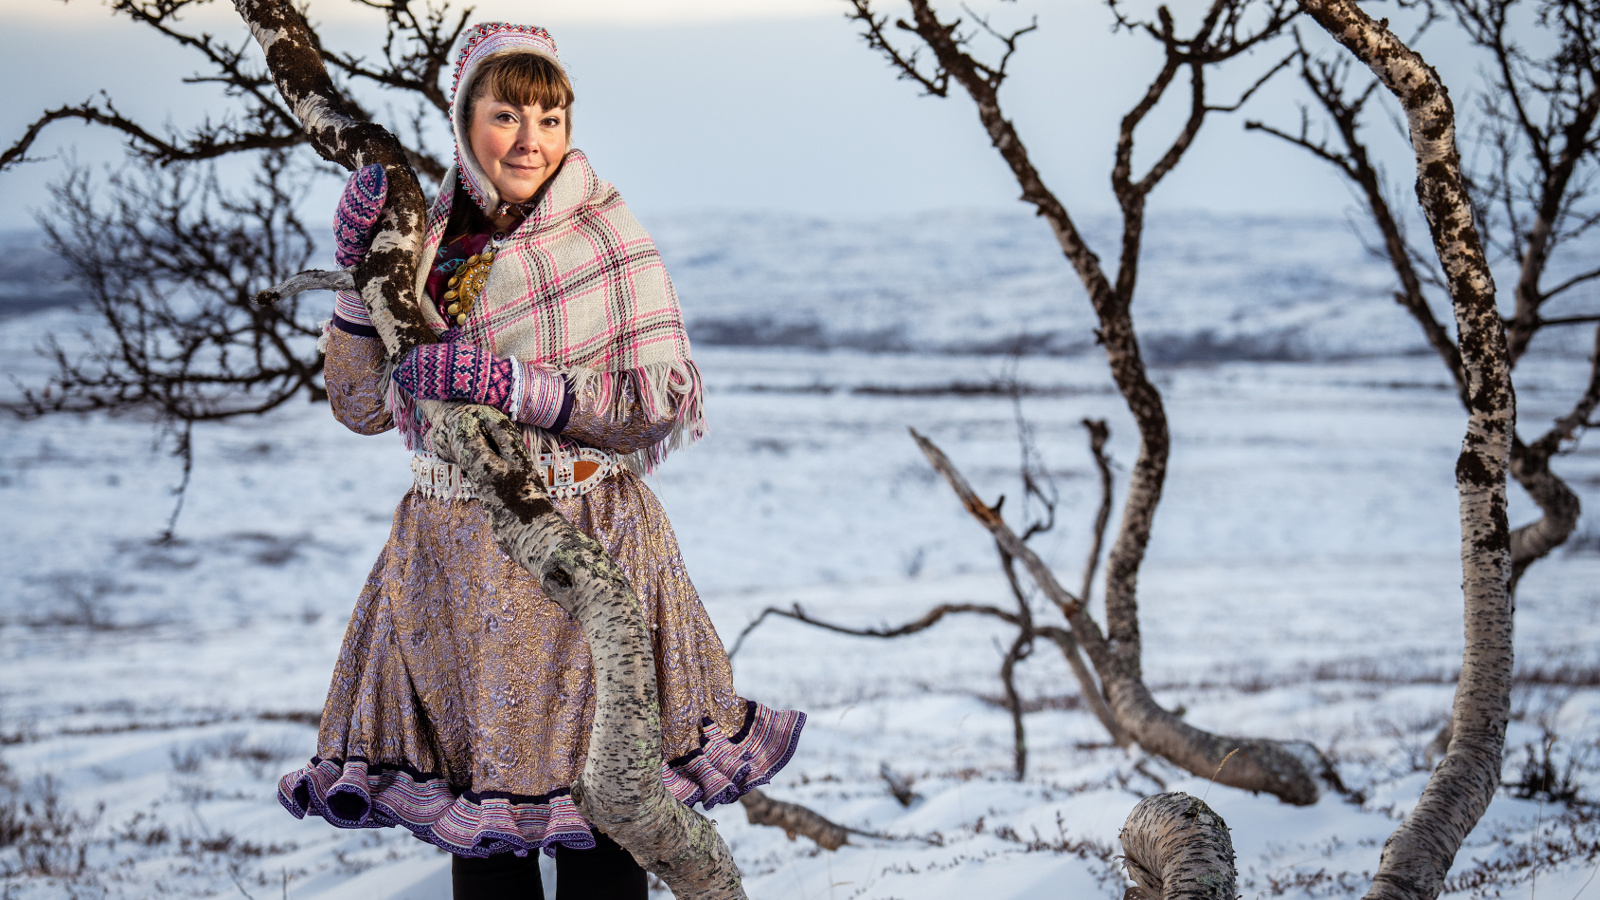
[463, 696]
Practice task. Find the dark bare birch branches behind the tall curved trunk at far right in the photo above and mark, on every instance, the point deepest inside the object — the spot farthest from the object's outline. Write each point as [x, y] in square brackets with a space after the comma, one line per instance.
[1532, 191]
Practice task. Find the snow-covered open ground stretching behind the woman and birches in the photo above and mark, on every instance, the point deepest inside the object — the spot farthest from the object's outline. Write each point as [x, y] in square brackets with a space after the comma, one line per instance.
[1303, 581]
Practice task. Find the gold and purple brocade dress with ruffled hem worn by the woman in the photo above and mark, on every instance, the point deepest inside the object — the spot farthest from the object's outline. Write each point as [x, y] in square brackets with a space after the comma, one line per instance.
[463, 697]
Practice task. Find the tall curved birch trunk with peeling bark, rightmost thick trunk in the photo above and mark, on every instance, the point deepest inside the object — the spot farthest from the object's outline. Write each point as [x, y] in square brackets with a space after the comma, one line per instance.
[1420, 853]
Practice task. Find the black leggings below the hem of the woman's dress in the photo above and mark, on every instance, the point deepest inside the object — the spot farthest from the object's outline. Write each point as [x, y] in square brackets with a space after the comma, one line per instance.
[604, 874]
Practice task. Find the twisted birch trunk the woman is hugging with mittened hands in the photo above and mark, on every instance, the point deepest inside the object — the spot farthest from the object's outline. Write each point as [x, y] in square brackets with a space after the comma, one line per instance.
[620, 789]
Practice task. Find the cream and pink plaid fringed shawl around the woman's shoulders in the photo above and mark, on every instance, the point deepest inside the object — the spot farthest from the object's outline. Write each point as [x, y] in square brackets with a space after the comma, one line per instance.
[580, 289]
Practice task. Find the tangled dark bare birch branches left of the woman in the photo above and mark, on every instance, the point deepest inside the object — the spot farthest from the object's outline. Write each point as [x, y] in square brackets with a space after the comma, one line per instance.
[169, 257]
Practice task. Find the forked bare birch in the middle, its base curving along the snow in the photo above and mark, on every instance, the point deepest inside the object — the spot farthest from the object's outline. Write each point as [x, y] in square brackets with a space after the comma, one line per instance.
[1228, 30]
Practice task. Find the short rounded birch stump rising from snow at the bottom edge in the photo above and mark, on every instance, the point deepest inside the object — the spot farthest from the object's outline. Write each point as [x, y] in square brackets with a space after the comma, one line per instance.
[1177, 848]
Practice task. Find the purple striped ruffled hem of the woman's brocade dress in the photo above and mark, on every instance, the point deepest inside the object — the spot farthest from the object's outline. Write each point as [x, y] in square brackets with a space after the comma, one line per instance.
[359, 794]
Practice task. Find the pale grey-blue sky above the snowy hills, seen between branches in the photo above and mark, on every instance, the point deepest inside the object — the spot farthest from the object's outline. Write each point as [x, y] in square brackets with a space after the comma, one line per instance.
[734, 105]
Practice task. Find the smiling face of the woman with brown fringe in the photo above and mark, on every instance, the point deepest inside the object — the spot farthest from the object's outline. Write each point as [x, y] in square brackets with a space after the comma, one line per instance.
[518, 147]
